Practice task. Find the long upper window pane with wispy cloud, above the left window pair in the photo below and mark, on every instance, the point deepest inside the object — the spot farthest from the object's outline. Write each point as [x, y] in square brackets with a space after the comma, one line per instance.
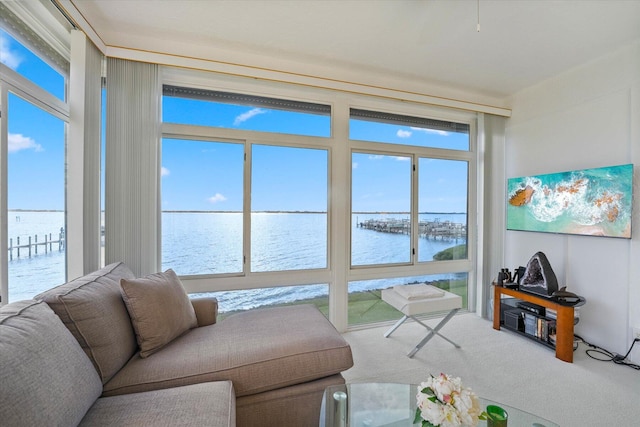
[236, 111]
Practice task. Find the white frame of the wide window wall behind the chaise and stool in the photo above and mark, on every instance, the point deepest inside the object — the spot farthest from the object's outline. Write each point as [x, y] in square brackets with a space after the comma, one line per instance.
[339, 272]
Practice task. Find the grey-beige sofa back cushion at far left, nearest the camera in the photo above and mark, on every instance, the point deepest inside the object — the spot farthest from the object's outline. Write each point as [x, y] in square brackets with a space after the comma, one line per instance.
[45, 377]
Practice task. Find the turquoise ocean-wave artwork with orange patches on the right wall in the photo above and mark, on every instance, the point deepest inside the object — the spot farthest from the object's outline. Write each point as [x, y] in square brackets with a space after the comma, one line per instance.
[593, 202]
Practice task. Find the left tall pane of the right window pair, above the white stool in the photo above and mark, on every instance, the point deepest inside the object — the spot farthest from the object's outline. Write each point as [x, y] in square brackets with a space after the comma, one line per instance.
[381, 206]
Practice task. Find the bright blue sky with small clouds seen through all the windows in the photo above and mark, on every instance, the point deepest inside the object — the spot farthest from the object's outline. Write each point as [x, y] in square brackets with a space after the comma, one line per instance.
[198, 175]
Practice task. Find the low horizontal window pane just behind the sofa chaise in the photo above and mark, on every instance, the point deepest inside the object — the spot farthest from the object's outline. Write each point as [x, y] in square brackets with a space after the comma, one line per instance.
[230, 302]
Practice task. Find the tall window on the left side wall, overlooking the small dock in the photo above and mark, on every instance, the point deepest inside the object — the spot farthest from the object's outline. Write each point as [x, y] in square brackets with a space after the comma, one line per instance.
[34, 119]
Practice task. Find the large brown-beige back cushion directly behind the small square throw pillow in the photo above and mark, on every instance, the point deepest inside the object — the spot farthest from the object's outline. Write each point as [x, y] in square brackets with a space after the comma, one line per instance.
[91, 307]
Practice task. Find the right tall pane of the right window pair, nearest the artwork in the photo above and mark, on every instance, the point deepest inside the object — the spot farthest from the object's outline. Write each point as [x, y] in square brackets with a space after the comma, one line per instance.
[442, 203]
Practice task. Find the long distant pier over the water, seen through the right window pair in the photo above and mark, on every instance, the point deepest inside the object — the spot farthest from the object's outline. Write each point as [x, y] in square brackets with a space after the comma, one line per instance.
[435, 229]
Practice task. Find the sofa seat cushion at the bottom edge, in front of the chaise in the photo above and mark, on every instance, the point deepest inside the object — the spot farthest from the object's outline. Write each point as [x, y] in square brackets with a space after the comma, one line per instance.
[207, 404]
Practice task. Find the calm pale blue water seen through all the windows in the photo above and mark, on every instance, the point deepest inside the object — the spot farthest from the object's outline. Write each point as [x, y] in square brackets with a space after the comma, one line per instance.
[192, 244]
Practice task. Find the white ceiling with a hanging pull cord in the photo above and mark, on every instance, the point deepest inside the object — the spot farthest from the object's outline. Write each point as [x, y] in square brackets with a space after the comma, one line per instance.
[520, 42]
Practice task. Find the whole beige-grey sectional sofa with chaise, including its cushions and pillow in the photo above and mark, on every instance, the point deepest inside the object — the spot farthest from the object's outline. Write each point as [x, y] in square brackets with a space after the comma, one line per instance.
[112, 349]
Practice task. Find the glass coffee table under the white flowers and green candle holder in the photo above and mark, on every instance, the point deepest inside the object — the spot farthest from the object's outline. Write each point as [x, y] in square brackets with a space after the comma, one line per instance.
[394, 405]
